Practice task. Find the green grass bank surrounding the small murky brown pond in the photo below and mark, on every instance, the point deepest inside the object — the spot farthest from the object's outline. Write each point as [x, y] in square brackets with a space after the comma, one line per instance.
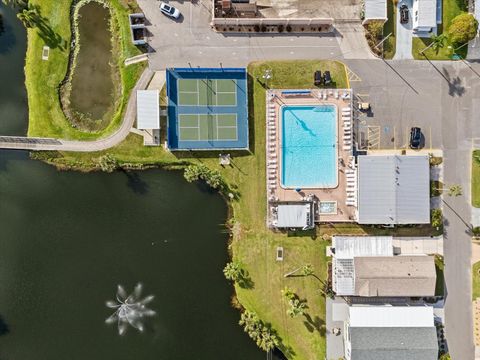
[46, 117]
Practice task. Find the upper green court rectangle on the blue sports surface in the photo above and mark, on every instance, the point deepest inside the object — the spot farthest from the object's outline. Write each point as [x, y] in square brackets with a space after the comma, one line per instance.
[207, 92]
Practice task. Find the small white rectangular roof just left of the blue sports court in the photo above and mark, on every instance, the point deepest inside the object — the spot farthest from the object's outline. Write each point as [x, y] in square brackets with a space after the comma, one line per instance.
[148, 109]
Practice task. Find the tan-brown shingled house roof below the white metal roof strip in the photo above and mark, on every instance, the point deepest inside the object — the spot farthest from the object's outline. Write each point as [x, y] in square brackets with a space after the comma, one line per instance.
[395, 276]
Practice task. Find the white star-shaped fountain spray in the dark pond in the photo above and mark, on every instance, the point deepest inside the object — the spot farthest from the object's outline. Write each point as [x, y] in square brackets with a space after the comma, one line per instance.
[129, 309]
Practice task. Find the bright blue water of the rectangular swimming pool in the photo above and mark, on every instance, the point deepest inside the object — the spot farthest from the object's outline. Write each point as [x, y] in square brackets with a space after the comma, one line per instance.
[309, 146]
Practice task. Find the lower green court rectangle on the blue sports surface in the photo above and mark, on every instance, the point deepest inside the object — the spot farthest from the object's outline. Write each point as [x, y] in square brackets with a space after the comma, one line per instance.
[207, 127]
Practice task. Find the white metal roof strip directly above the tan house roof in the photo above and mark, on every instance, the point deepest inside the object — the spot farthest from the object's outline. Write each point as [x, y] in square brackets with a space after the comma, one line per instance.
[347, 247]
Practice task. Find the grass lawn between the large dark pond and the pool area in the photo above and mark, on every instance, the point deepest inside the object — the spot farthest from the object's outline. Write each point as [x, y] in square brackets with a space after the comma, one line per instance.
[252, 244]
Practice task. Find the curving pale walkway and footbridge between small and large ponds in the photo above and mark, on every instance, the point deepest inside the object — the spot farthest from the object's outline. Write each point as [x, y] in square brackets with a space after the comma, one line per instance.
[25, 143]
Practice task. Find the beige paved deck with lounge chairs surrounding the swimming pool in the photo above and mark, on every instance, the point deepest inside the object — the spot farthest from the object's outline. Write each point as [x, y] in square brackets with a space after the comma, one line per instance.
[275, 192]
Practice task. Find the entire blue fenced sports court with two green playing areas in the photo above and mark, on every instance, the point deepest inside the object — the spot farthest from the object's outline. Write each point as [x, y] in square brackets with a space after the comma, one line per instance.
[207, 109]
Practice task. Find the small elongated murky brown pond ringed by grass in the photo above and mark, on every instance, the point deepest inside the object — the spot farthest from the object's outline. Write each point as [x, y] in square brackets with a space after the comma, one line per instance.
[92, 96]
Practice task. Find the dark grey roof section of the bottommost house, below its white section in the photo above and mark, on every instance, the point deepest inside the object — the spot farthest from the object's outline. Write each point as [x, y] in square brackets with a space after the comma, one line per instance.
[380, 343]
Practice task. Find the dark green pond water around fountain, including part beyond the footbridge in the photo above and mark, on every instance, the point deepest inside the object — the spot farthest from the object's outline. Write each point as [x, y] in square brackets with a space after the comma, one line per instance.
[68, 239]
